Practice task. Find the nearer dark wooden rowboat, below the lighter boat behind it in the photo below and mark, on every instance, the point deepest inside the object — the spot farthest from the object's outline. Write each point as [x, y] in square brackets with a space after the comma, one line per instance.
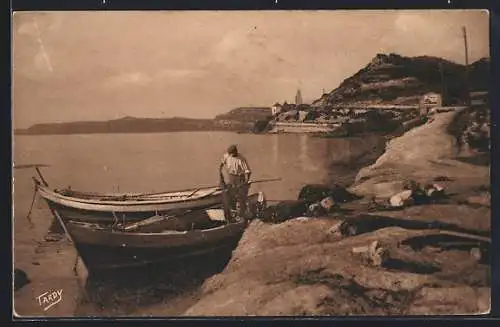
[103, 248]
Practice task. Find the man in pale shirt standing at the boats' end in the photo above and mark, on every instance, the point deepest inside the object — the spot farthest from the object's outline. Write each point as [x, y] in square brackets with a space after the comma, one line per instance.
[235, 181]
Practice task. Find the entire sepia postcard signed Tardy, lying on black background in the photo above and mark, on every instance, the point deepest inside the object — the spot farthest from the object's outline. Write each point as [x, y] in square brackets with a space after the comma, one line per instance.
[251, 163]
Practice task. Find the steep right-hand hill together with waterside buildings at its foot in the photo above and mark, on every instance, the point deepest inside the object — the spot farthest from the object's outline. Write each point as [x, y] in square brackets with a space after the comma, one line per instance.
[390, 93]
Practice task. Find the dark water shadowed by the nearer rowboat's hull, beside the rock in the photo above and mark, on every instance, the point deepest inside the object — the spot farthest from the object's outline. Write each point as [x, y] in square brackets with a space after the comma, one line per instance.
[136, 291]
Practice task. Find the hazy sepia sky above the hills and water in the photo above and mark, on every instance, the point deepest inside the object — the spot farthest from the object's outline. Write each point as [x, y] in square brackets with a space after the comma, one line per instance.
[105, 65]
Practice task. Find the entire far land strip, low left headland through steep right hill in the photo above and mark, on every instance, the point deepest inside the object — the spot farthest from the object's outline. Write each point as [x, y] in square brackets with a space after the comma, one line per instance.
[389, 82]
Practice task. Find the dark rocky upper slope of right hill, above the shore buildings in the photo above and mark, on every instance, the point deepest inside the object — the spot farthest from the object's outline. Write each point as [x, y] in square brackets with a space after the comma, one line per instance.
[395, 79]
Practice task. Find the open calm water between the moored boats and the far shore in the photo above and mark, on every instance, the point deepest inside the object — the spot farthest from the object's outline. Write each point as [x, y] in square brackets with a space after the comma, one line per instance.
[157, 162]
